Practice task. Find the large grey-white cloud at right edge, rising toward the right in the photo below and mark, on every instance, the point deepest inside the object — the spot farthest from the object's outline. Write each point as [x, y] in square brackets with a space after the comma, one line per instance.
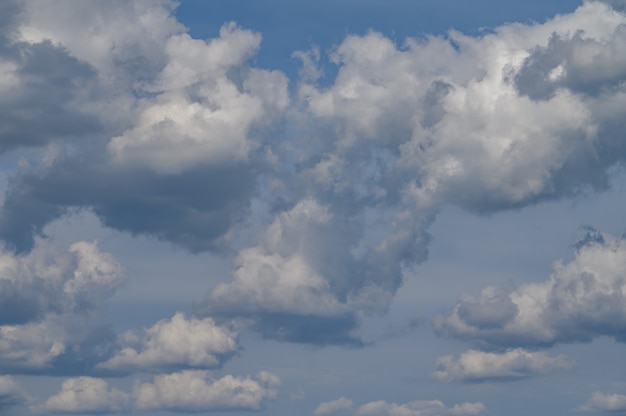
[581, 300]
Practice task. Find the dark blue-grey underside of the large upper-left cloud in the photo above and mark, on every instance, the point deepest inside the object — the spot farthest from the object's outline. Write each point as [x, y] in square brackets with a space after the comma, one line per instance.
[194, 209]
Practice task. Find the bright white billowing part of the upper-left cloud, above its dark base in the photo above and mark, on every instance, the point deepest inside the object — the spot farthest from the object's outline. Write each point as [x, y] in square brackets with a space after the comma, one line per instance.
[200, 115]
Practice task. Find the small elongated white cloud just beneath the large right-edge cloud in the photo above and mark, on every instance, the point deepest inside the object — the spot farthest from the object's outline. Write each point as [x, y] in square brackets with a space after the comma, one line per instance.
[515, 364]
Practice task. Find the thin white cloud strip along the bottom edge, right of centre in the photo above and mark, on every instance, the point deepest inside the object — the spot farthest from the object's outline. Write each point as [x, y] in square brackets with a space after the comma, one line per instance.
[419, 408]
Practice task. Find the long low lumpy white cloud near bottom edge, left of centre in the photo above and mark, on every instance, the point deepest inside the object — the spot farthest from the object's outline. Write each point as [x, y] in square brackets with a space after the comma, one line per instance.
[196, 391]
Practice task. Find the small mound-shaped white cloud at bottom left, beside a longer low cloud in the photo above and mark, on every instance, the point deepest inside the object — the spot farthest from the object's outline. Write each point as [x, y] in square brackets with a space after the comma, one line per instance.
[86, 395]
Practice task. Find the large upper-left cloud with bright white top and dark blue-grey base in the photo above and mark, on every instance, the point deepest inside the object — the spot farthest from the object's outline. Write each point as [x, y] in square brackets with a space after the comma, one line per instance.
[177, 119]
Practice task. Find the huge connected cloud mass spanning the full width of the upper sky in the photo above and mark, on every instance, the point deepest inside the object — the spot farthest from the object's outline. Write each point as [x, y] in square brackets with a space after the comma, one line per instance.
[192, 138]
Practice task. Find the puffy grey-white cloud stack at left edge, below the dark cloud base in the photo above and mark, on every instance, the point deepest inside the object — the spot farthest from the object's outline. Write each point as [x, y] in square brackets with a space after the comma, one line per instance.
[46, 296]
